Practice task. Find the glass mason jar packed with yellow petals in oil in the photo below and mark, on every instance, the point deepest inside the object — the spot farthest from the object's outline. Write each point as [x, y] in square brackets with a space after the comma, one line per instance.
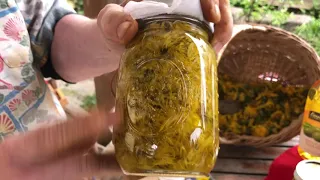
[167, 99]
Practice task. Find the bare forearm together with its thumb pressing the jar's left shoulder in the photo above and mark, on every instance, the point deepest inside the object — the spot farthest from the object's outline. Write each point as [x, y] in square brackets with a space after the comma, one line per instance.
[84, 48]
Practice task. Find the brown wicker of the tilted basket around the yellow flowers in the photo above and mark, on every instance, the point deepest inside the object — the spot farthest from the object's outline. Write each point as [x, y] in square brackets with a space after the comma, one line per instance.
[257, 49]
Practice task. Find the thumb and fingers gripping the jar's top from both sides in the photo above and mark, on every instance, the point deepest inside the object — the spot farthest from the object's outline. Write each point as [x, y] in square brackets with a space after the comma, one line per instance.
[119, 28]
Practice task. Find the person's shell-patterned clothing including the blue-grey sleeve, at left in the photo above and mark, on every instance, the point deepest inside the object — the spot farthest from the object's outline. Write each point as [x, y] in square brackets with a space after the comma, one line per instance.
[26, 32]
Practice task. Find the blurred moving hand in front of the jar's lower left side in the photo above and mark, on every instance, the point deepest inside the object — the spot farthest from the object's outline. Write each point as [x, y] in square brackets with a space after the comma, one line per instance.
[60, 151]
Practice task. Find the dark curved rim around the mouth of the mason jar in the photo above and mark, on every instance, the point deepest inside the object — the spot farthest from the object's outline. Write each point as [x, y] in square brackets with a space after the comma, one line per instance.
[171, 17]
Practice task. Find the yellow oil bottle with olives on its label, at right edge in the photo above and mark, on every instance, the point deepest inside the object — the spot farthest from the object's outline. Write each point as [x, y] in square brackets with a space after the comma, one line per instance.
[309, 145]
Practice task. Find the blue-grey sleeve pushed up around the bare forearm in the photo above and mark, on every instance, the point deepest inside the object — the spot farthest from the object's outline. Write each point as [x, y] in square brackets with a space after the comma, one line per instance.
[41, 16]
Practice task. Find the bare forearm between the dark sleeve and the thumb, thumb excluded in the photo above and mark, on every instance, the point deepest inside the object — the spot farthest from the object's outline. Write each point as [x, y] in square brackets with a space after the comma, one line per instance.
[79, 50]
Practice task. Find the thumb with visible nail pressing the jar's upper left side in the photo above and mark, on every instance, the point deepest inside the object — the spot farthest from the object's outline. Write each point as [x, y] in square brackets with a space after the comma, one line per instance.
[116, 25]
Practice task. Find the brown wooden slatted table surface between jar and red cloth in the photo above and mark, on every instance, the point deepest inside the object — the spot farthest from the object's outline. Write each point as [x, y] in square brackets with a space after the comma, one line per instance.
[246, 163]
